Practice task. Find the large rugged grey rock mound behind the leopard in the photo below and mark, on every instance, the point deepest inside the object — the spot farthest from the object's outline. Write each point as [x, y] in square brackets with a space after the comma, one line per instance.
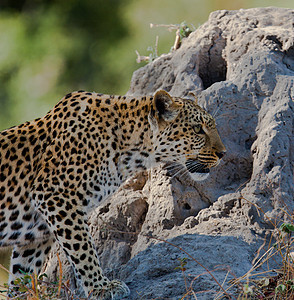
[240, 64]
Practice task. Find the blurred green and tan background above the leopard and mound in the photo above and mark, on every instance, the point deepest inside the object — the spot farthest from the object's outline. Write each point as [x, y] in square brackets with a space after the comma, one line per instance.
[51, 47]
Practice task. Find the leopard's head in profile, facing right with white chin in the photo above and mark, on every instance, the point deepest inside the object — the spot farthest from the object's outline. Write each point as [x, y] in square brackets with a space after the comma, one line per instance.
[185, 136]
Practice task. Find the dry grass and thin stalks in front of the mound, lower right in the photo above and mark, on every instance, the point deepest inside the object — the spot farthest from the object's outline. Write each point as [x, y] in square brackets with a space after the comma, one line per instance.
[272, 284]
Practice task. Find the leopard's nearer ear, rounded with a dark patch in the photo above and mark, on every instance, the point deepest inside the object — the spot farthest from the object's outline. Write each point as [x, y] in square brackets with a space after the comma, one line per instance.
[165, 107]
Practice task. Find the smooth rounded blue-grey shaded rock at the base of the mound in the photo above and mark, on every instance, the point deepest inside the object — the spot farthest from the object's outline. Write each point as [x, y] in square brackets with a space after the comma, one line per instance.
[156, 272]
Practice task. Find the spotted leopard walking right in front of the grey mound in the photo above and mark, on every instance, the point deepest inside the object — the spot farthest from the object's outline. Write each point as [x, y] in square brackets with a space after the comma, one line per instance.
[56, 169]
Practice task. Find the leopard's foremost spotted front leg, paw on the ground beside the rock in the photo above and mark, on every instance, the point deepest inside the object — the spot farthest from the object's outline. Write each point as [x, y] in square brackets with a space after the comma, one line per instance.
[67, 221]
